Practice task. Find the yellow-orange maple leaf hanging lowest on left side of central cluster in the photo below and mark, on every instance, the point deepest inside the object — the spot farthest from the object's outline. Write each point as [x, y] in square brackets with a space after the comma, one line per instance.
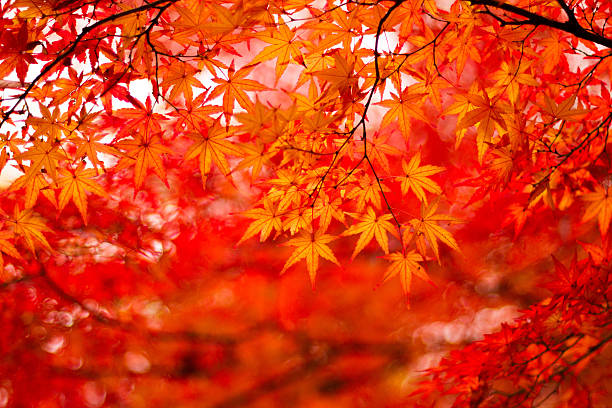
[309, 246]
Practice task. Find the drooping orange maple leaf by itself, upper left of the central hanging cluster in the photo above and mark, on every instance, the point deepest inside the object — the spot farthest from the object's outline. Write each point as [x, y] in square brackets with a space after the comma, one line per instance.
[211, 146]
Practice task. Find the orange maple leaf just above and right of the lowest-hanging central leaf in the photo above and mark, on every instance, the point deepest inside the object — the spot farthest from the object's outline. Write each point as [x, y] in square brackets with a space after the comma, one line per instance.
[428, 226]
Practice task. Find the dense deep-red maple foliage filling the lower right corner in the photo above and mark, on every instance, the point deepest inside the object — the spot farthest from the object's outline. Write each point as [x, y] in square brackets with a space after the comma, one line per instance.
[548, 351]
